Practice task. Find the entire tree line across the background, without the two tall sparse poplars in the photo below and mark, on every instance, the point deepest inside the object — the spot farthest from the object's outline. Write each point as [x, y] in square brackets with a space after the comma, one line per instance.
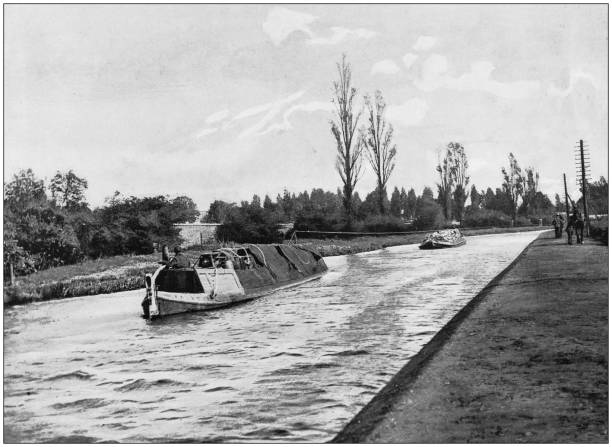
[52, 225]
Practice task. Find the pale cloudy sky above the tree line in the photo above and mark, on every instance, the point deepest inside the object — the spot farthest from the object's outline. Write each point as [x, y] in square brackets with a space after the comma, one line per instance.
[226, 101]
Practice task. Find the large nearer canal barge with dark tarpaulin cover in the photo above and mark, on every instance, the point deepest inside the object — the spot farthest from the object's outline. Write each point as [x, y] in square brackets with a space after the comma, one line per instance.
[227, 276]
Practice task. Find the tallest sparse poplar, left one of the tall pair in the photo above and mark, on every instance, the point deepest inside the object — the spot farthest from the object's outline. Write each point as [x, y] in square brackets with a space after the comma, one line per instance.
[343, 127]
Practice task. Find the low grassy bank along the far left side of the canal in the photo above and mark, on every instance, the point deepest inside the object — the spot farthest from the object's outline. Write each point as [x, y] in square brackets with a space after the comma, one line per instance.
[120, 273]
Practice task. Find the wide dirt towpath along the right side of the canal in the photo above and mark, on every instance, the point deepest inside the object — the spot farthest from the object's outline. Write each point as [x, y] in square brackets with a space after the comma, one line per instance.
[525, 361]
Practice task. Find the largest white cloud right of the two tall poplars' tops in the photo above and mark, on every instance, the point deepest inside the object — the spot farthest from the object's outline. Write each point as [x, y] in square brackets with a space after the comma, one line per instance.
[435, 75]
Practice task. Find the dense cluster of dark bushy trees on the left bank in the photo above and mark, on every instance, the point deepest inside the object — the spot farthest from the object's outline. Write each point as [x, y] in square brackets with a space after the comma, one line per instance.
[50, 225]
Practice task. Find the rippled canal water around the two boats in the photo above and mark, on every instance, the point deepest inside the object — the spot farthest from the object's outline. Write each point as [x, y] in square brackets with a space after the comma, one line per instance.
[291, 367]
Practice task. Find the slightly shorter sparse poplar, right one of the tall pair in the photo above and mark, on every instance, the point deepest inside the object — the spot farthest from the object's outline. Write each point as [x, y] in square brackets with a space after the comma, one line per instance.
[380, 151]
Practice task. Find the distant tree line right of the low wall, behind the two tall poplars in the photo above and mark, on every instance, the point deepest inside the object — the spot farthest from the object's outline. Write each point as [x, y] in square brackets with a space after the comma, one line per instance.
[518, 201]
